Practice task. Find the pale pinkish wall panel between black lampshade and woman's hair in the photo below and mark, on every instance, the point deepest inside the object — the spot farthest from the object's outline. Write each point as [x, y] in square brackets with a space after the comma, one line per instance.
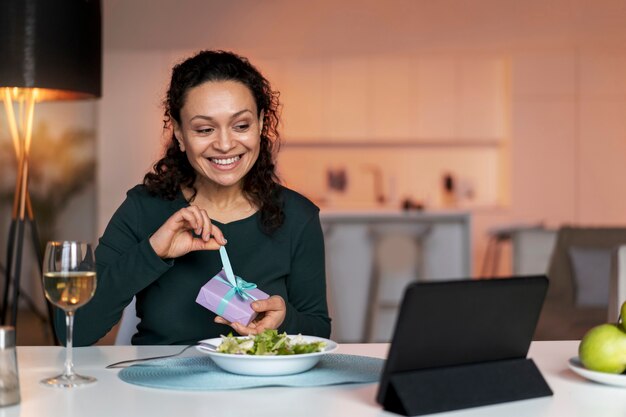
[129, 125]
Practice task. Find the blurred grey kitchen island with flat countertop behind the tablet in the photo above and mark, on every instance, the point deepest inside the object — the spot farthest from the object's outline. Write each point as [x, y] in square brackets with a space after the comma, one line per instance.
[350, 257]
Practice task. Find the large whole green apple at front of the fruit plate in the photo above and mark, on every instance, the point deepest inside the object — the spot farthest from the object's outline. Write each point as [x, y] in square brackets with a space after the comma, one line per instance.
[603, 349]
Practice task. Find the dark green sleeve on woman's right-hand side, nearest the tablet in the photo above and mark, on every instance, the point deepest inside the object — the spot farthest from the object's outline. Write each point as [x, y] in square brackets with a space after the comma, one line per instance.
[307, 310]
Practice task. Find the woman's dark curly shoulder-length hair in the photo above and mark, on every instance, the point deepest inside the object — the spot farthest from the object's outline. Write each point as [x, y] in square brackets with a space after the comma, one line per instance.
[173, 171]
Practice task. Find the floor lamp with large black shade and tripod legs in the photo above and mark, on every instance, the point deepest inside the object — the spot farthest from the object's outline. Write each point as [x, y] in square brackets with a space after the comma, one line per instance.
[49, 50]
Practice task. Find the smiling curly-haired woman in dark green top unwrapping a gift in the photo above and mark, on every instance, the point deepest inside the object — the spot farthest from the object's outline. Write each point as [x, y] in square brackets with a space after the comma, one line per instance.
[216, 185]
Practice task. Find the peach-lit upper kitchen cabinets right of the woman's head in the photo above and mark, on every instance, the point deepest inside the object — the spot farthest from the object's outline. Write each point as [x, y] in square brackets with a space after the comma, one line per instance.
[440, 99]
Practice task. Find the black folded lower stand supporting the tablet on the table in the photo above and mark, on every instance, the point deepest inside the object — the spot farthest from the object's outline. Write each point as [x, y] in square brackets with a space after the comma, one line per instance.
[434, 390]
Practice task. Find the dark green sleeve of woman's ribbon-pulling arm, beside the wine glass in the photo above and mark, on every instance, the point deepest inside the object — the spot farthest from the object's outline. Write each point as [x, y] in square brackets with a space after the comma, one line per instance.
[125, 264]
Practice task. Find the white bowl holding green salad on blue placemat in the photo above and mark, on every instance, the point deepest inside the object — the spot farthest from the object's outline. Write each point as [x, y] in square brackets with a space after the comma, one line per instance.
[267, 365]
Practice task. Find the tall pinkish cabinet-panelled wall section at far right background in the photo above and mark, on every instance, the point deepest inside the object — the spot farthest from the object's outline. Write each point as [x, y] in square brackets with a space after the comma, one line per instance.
[568, 135]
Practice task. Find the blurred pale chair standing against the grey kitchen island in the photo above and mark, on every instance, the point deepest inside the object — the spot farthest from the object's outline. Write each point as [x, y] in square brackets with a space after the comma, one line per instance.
[398, 258]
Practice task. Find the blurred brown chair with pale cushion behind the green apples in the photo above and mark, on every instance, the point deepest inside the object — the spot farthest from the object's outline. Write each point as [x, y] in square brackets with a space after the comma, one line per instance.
[580, 277]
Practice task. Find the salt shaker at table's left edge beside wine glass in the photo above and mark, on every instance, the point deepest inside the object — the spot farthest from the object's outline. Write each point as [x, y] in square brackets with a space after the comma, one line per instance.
[9, 381]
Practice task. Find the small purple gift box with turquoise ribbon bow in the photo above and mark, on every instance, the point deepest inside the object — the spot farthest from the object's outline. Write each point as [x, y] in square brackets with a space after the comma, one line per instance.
[222, 298]
